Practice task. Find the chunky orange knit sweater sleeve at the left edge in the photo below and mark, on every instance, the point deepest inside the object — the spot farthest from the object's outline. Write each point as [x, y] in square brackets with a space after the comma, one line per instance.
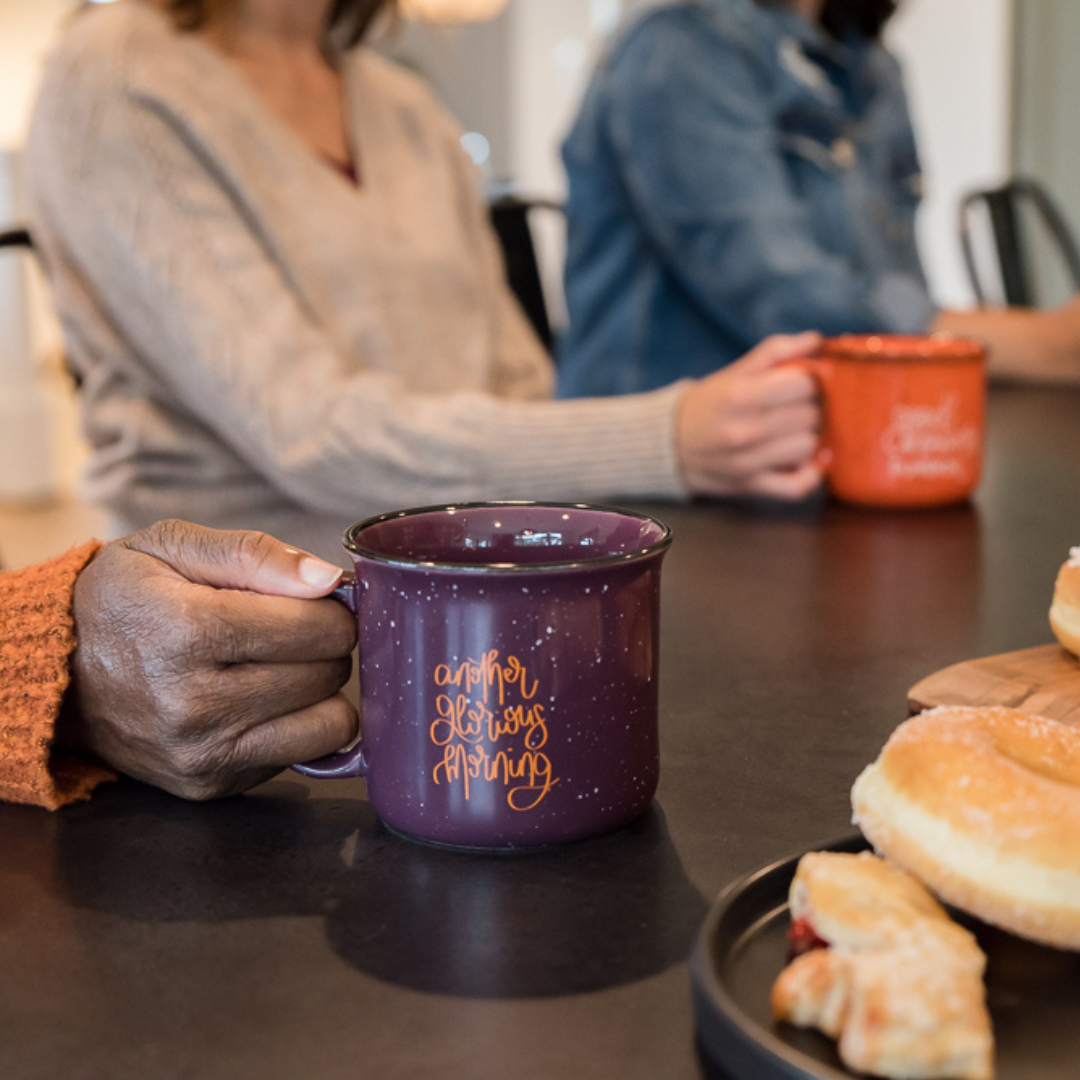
[37, 640]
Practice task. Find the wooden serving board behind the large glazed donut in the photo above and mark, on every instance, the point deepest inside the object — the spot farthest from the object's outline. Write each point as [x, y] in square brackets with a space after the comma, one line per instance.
[1045, 681]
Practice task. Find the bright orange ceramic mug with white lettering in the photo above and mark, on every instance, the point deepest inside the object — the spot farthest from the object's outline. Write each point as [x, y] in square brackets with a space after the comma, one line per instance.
[904, 417]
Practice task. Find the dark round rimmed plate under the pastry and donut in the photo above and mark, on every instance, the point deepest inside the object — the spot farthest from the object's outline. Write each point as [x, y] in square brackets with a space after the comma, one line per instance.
[1034, 993]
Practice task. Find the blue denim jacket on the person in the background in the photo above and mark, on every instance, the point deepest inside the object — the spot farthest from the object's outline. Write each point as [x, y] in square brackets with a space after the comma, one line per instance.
[735, 173]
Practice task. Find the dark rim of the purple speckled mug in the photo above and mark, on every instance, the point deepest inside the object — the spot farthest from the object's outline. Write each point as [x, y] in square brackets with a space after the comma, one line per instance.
[353, 545]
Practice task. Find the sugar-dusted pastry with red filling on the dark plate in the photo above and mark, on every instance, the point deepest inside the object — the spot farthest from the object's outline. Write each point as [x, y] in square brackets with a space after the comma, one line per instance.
[882, 968]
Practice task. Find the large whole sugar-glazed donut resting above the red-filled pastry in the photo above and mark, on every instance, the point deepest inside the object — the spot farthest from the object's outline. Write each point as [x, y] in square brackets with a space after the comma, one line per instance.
[983, 806]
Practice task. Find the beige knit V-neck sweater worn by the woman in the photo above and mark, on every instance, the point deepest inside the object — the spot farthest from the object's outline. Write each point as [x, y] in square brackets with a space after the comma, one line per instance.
[264, 345]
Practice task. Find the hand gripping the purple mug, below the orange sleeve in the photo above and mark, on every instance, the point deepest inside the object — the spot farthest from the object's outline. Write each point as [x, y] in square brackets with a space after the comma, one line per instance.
[206, 661]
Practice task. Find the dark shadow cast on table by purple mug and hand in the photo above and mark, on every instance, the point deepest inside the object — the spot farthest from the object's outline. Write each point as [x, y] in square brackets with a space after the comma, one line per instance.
[587, 916]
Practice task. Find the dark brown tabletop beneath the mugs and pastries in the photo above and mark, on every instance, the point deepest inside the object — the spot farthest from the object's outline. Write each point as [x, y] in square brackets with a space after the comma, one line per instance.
[286, 935]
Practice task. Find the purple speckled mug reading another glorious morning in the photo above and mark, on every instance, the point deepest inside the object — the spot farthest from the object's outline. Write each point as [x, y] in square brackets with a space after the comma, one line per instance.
[508, 671]
